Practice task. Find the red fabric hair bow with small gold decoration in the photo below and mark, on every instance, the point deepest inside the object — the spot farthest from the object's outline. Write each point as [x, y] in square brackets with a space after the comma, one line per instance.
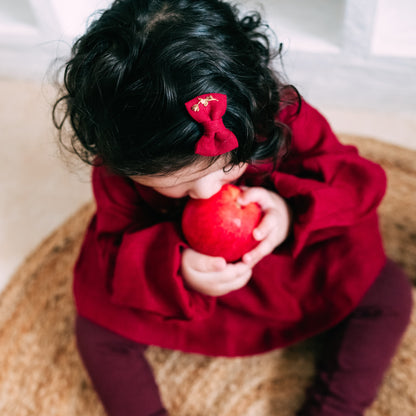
[208, 110]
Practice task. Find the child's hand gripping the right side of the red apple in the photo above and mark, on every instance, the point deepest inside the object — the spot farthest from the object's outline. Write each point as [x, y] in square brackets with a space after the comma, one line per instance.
[275, 225]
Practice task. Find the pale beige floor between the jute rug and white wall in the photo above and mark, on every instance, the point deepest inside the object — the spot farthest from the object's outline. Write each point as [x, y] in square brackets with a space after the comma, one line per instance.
[38, 191]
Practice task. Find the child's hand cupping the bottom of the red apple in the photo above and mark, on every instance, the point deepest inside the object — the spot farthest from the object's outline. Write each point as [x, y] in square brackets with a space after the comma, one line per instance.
[213, 276]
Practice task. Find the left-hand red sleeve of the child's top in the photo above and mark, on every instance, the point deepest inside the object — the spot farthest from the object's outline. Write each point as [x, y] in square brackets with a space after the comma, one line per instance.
[139, 254]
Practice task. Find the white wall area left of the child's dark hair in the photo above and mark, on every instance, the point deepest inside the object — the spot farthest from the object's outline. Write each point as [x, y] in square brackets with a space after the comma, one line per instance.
[35, 32]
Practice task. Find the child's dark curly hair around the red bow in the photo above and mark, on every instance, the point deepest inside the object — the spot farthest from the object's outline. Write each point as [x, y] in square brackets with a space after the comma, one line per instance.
[132, 72]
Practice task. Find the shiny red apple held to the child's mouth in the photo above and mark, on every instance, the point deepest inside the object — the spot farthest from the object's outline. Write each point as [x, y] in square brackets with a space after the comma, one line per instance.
[220, 226]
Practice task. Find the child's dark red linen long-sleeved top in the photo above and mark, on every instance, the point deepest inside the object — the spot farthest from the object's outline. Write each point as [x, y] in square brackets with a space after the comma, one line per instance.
[127, 277]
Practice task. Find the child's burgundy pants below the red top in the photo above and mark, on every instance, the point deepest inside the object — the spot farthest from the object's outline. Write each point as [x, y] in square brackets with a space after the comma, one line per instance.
[356, 354]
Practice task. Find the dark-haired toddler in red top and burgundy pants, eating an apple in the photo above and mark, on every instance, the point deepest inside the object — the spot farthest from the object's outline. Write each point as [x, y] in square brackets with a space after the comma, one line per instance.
[170, 100]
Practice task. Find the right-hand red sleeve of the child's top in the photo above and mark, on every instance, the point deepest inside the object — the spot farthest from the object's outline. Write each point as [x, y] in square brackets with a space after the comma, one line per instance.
[328, 185]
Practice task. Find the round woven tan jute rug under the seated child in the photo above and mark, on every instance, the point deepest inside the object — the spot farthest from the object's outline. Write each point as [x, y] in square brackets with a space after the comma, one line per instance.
[41, 373]
